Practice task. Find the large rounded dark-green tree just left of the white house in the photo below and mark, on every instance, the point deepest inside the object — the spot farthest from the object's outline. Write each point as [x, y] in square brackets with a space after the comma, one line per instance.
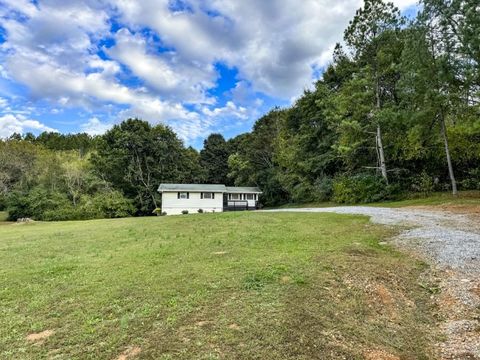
[136, 157]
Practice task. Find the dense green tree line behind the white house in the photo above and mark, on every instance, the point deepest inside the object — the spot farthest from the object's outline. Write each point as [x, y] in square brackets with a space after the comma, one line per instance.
[396, 112]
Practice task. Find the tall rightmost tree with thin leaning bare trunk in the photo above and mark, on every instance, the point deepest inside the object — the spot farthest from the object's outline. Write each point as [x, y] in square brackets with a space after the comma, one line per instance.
[433, 80]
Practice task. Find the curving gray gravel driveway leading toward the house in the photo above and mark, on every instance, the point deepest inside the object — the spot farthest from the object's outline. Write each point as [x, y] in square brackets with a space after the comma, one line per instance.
[451, 242]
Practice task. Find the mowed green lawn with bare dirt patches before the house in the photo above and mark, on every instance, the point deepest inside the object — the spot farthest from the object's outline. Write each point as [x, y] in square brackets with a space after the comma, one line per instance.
[211, 286]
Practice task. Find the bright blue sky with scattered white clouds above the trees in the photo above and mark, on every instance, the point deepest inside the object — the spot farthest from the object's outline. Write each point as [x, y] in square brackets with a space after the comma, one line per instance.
[198, 66]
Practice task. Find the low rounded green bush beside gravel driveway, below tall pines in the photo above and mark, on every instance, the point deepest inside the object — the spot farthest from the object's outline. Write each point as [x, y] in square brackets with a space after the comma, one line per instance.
[362, 189]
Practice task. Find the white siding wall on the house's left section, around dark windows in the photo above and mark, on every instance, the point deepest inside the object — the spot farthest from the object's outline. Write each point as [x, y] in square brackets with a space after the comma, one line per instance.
[174, 206]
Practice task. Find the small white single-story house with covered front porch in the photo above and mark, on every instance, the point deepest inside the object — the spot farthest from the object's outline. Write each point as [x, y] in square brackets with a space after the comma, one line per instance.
[207, 197]
